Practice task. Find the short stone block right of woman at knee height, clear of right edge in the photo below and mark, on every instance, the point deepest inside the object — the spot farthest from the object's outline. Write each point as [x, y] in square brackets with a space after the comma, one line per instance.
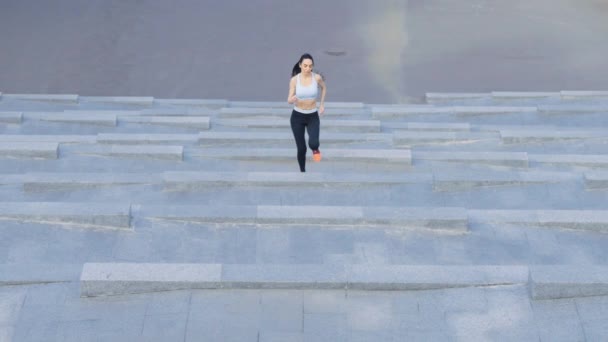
[413, 138]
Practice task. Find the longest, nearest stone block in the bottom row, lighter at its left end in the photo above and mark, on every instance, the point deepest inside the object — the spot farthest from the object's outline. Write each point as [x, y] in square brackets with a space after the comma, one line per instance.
[106, 279]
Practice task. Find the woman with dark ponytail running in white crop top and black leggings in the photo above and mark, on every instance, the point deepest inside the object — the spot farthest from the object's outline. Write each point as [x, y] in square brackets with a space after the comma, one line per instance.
[303, 92]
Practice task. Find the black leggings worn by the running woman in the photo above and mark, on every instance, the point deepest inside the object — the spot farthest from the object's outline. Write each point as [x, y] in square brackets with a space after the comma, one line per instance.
[299, 123]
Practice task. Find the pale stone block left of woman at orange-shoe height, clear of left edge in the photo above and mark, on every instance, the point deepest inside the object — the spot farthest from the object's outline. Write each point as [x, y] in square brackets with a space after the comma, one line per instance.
[163, 152]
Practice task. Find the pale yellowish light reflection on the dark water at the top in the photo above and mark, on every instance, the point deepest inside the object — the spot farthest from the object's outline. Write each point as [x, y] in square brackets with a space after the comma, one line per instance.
[384, 33]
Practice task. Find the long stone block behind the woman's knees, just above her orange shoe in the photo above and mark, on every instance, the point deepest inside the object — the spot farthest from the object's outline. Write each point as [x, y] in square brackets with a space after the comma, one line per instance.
[279, 138]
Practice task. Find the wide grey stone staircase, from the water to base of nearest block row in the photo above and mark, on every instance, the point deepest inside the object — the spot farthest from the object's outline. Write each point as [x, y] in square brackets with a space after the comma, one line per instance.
[444, 192]
